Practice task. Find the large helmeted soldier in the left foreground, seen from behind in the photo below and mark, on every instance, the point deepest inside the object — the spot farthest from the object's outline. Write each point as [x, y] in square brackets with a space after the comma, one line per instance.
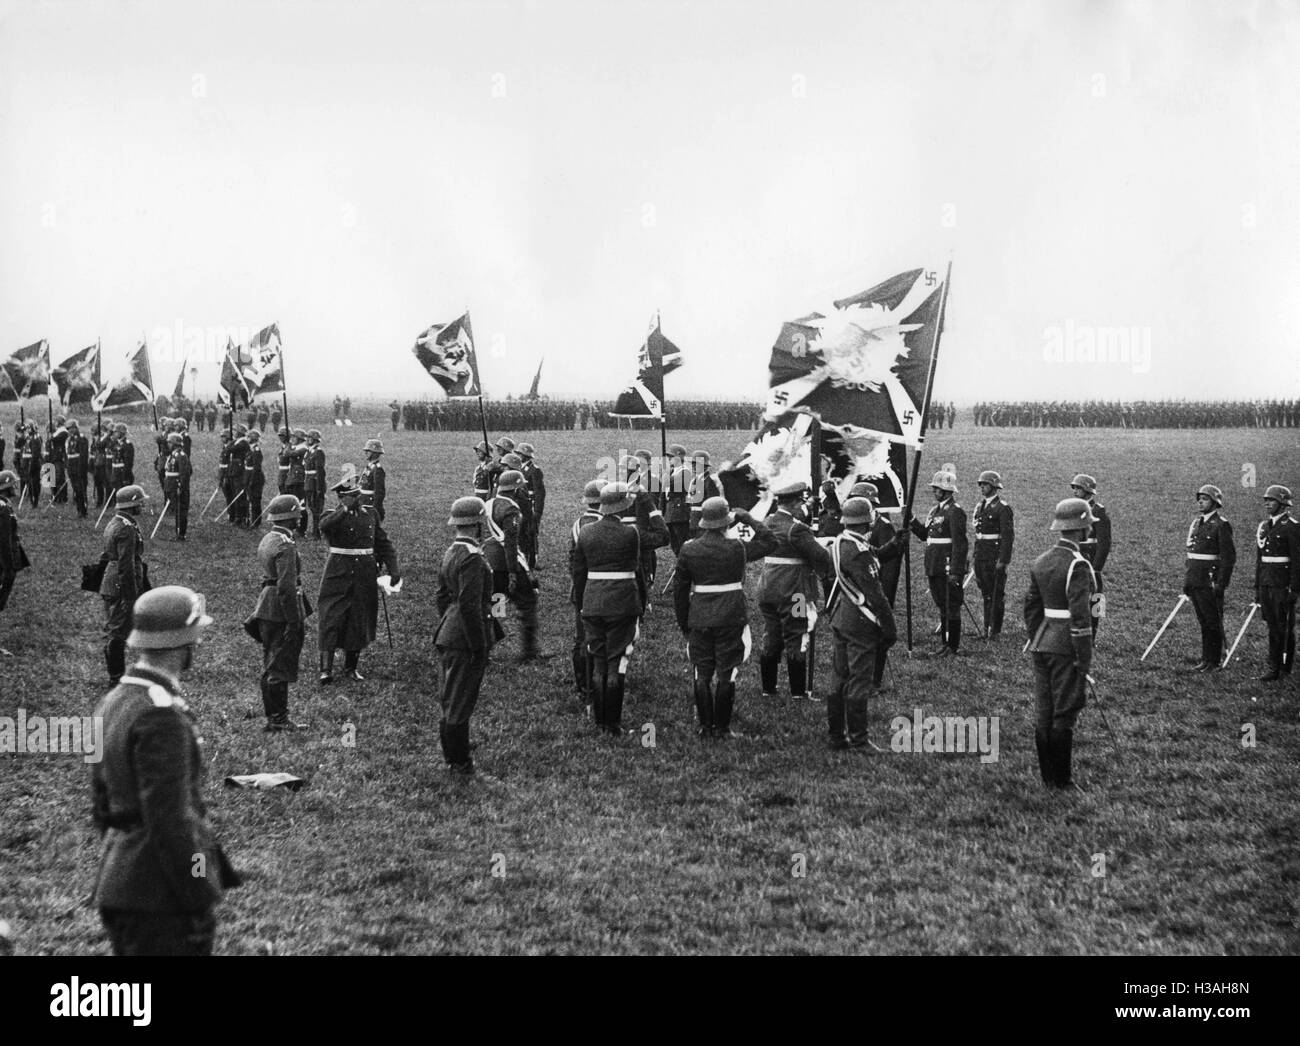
[162, 873]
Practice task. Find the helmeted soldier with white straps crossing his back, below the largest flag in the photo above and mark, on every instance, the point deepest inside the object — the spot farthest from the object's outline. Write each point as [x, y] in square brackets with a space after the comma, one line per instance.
[863, 628]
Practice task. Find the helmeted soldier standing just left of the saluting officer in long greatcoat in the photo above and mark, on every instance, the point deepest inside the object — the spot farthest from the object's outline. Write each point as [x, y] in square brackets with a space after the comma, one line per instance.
[281, 611]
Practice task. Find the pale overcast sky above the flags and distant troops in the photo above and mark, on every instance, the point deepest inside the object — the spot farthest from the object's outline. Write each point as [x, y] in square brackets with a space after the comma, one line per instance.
[357, 172]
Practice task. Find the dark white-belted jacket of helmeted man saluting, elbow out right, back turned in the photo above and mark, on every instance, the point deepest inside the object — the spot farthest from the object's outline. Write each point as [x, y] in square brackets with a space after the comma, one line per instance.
[713, 559]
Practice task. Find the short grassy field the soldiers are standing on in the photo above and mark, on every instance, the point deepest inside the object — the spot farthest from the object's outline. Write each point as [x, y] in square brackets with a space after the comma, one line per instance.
[591, 845]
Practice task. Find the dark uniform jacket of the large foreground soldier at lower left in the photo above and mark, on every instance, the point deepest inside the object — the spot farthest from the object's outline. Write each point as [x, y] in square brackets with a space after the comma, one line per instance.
[148, 802]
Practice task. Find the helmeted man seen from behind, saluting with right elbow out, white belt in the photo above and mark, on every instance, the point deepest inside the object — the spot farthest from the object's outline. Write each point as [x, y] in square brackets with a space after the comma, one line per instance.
[712, 614]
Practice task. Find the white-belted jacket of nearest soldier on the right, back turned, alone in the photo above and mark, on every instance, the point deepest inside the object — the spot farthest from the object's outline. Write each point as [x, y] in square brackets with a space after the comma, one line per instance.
[1059, 604]
